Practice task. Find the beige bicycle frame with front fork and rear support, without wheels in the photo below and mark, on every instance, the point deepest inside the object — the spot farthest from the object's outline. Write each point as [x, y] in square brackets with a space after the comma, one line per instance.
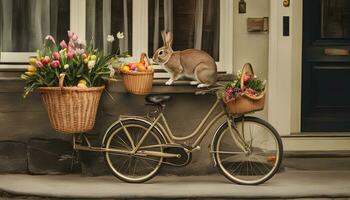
[165, 130]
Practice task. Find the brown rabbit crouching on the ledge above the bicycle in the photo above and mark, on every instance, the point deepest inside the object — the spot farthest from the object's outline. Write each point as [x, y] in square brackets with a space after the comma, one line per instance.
[190, 63]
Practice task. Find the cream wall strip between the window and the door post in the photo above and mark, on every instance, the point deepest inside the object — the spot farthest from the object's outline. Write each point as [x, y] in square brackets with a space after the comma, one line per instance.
[251, 47]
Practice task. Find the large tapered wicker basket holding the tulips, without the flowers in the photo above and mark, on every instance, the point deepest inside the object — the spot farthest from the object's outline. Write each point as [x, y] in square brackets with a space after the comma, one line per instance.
[71, 109]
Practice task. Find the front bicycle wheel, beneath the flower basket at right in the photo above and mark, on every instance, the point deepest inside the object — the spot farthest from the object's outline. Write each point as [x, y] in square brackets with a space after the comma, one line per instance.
[259, 163]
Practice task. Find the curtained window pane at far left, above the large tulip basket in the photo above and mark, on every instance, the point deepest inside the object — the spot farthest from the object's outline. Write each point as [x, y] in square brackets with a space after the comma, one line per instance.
[24, 24]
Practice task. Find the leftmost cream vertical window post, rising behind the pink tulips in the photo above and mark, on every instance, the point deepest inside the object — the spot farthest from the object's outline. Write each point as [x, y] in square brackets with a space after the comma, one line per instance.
[78, 17]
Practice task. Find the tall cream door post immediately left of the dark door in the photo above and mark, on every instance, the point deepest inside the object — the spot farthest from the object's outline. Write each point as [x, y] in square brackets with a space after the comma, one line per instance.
[280, 67]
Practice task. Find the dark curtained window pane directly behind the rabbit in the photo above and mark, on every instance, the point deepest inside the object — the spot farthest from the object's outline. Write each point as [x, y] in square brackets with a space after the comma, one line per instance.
[195, 24]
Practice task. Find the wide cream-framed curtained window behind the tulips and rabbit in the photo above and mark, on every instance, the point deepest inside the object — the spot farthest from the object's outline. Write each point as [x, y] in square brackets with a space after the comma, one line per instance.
[202, 24]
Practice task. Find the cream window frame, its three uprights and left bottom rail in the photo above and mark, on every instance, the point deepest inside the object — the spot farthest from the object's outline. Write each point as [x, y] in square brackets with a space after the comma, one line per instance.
[139, 36]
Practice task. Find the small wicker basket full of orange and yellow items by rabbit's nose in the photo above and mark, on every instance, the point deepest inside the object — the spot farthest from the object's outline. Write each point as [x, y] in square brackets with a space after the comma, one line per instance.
[138, 77]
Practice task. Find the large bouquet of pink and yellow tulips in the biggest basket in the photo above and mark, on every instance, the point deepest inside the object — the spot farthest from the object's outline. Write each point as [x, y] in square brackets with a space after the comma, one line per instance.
[81, 65]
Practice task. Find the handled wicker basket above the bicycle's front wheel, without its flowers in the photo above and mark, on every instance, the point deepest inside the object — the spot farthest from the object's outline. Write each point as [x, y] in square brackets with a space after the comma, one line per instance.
[246, 103]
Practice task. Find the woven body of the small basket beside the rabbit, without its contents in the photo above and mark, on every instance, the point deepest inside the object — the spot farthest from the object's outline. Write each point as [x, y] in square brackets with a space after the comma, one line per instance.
[139, 83]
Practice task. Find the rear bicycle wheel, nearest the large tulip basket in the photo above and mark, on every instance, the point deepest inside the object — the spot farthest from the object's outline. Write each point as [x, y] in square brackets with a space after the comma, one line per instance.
[133, 168]
